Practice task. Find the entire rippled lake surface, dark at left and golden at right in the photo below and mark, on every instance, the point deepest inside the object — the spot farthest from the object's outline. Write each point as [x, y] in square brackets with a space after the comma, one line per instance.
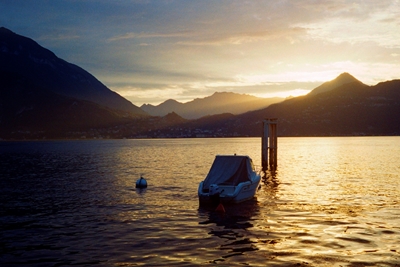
[332, 202]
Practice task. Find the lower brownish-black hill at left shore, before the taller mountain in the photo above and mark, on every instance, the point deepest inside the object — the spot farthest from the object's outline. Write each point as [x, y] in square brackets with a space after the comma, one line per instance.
[29, 110]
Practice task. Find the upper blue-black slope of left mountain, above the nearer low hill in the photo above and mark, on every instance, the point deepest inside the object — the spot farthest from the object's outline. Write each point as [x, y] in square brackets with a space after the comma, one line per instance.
[41, 68]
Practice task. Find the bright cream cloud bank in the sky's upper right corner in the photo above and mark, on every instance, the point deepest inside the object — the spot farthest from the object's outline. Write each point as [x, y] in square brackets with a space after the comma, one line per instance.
[354, 22]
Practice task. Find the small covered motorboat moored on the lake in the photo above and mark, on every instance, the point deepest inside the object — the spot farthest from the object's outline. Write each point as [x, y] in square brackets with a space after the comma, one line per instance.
[231, 179]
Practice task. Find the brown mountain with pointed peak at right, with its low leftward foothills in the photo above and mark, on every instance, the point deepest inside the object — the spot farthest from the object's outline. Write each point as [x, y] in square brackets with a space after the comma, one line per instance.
[343, 107]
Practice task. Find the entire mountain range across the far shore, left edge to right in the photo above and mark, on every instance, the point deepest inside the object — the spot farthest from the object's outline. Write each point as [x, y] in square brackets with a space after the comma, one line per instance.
[43, 96]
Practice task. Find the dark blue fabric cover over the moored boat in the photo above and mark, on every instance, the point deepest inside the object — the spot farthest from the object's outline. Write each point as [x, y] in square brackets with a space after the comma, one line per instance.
[229, 170]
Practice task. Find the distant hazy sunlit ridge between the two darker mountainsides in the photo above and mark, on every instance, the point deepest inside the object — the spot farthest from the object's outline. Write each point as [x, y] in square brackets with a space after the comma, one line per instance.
[219, 102]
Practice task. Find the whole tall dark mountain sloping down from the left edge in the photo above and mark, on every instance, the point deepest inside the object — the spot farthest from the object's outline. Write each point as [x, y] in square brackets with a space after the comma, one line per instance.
[42, 95]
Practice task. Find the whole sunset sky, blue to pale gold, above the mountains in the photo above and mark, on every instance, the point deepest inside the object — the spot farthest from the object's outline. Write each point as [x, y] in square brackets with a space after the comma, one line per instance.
[150, 51]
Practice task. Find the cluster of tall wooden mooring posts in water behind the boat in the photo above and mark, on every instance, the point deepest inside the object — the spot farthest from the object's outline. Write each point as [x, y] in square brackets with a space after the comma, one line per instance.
[269, 143]
